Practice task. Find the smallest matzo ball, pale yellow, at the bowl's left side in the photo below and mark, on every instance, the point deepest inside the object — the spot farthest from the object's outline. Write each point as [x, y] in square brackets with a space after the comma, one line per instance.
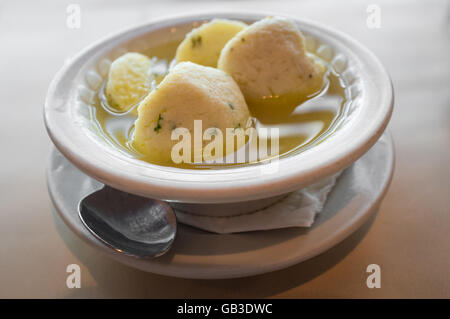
[129, 80]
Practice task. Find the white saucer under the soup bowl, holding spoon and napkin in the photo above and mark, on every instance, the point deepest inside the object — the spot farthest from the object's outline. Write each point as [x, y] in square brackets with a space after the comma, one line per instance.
[199, 254]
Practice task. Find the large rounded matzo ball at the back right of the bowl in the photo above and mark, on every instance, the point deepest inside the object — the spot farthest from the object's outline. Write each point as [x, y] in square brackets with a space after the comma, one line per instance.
[269, 62]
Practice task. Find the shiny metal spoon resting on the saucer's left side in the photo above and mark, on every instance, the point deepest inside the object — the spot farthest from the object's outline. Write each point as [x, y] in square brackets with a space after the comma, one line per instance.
[130, 224]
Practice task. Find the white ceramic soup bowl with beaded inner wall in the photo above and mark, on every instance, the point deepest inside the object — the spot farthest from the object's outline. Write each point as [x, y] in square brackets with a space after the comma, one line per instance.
[68, 121]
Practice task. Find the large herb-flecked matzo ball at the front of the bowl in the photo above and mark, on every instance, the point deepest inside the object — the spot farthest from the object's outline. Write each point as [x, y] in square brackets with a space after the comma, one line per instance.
[189, 92]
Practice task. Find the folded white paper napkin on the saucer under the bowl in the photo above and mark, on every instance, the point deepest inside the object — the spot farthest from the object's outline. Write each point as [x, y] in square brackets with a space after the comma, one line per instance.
[298, 209]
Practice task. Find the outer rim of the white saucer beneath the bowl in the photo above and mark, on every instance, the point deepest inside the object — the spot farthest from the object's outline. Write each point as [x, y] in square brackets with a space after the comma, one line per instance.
[180, 270]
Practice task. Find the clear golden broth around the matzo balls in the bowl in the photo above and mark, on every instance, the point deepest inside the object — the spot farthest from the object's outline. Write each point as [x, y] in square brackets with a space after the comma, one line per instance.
[300, 128]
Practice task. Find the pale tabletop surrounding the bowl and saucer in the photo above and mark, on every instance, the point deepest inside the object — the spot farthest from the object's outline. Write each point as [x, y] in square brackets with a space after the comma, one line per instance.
[409, 238]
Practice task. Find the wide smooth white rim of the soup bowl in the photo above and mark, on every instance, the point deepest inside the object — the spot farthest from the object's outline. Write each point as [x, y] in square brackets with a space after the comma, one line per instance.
[223, 185]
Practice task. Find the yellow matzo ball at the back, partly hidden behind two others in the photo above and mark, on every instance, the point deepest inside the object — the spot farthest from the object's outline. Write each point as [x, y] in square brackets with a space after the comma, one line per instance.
[204, 44]
